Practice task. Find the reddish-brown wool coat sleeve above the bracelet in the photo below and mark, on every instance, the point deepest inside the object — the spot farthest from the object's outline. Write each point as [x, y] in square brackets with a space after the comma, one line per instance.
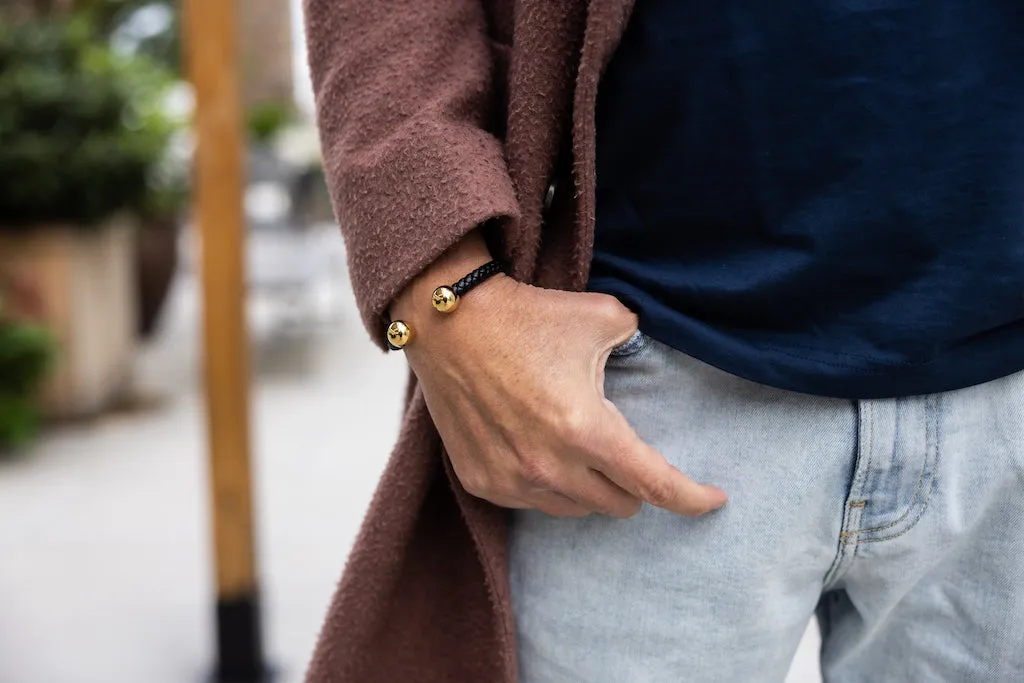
[404, 94]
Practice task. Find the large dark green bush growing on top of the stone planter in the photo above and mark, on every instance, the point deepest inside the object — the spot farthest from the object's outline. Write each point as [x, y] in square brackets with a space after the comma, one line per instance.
[79, 134]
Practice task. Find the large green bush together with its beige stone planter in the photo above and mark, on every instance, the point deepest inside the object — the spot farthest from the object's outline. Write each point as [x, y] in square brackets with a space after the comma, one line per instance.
[76, 158]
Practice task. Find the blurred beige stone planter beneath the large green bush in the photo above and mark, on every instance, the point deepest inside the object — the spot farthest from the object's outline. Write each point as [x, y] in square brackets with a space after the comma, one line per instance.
[83, 281]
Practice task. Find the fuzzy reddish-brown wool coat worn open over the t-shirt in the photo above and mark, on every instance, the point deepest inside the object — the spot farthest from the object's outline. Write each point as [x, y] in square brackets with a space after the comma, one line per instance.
[439, 116]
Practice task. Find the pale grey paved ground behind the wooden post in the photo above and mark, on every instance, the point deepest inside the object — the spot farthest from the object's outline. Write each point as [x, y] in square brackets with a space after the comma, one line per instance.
[105, 553]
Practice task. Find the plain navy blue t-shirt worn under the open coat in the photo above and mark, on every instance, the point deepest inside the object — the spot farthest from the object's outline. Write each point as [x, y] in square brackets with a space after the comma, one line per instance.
[824, 196]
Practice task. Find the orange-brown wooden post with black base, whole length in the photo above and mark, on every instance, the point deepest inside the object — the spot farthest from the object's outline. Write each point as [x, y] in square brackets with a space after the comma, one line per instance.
[211, 52]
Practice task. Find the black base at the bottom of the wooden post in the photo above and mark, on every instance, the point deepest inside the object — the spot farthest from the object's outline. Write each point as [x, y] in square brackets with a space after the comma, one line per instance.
[240, 643]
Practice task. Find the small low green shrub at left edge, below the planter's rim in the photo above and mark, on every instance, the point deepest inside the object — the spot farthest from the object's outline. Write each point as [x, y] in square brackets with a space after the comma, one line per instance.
[26, 353]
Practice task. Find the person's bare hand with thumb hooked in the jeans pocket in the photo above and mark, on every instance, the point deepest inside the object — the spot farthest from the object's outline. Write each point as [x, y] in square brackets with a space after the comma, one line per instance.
[515, 381]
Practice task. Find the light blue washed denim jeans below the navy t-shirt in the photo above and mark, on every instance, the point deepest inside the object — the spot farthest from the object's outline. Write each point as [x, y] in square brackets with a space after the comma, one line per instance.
[900, 522]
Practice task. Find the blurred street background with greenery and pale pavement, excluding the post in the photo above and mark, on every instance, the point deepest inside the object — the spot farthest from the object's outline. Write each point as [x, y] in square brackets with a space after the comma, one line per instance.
[107, 569]
